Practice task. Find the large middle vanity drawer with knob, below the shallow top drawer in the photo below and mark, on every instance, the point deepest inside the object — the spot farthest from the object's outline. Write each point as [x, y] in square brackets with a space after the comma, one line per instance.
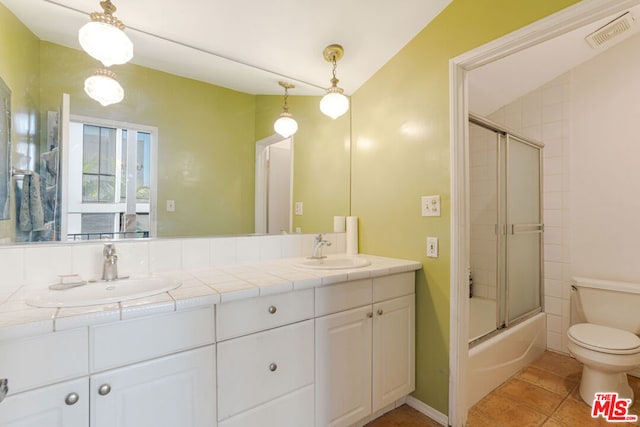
[257, 368]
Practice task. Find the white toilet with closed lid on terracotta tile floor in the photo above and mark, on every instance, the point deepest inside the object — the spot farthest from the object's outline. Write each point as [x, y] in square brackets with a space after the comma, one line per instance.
[604, 335]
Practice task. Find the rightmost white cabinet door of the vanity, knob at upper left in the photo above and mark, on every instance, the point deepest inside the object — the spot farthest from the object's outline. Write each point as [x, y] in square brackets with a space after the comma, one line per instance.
[393, 350]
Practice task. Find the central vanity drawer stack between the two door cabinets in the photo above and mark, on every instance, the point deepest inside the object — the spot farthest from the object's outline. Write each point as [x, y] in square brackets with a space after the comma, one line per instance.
[266, 378]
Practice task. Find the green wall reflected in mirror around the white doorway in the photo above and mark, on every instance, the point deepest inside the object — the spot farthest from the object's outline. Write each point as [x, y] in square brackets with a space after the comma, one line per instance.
[321, 158]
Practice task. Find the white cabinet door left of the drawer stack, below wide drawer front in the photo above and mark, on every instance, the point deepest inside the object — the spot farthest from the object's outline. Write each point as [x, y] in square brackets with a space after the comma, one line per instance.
[176, 390]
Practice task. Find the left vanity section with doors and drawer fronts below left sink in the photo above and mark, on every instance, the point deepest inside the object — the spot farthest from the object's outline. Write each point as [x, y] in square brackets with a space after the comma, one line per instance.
[151, 371]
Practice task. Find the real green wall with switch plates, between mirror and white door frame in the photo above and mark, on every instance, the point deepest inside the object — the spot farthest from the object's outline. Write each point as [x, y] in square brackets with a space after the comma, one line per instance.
[400, 130]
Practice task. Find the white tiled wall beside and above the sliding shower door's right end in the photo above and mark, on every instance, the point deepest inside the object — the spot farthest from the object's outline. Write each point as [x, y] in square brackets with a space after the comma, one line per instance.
[544, 115]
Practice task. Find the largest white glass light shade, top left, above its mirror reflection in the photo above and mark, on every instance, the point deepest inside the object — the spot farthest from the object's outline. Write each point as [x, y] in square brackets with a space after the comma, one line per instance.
[106, 43]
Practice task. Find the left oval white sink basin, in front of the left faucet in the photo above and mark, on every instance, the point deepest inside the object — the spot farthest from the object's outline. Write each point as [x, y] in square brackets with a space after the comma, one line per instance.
[101, 292]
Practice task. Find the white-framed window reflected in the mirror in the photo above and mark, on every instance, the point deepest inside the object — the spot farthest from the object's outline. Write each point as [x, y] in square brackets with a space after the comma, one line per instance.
[110, 180]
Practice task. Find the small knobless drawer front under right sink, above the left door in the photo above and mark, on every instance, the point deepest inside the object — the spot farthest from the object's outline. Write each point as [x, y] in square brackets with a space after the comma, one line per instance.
[343, 296]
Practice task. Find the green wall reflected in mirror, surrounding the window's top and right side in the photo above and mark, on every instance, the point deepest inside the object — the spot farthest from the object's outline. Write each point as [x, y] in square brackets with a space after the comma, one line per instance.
[206, 138]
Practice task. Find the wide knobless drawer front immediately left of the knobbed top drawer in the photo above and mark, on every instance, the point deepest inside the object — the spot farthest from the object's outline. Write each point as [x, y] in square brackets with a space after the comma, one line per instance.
[130, 341]
